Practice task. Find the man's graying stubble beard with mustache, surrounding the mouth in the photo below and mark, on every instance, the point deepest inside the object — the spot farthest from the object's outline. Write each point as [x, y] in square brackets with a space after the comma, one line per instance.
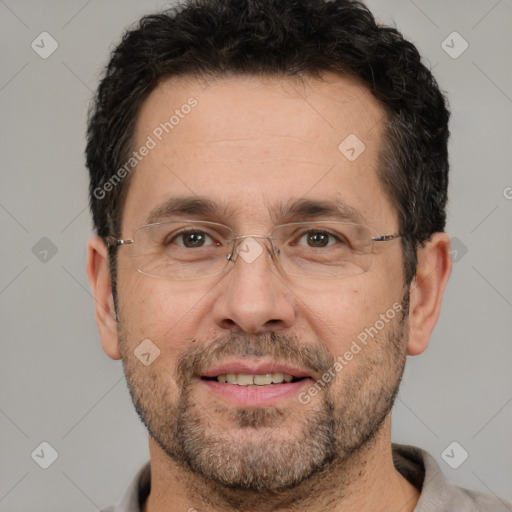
[270, 450]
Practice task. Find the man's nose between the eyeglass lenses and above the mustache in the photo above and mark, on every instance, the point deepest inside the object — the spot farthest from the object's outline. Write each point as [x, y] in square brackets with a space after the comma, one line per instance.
[253, 296]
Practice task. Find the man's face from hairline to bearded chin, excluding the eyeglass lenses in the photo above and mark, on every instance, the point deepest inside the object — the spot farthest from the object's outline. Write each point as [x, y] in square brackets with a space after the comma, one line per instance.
[253, 147]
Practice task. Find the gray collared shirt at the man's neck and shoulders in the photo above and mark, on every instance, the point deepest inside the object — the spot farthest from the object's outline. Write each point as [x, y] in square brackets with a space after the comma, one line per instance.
[416, 465]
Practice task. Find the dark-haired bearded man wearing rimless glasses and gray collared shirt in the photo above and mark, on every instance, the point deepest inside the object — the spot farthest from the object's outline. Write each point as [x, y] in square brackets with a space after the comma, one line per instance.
[268, 187]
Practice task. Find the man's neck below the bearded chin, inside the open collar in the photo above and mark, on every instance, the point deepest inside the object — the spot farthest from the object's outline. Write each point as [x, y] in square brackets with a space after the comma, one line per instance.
[367, 482]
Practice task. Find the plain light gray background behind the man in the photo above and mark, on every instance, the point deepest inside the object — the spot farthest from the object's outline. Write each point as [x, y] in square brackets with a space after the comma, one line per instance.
[58, 386]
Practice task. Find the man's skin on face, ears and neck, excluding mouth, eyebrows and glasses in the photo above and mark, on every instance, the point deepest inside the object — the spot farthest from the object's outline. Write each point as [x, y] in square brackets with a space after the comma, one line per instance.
[251, 144]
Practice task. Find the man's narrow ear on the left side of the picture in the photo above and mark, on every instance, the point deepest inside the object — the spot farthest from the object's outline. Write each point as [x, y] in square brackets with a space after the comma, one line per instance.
[101, 284]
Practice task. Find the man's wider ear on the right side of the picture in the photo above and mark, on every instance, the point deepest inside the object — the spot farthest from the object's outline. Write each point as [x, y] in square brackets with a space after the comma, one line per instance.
[432, 273]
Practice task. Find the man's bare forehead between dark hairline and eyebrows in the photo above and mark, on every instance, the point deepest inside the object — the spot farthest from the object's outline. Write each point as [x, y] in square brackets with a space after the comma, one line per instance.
[253, 143]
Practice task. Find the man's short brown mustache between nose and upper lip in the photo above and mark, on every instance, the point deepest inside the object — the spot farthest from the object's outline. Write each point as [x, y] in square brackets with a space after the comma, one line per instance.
[287, 349]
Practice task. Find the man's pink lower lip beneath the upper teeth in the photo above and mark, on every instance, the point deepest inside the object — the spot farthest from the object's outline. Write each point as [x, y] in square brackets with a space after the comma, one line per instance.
[257, 396]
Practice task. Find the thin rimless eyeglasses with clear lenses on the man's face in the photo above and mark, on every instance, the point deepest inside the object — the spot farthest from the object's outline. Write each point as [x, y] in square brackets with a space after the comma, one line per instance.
[191, 249]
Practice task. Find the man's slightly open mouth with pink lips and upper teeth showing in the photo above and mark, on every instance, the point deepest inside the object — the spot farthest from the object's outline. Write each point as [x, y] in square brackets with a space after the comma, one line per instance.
[256, 385]
